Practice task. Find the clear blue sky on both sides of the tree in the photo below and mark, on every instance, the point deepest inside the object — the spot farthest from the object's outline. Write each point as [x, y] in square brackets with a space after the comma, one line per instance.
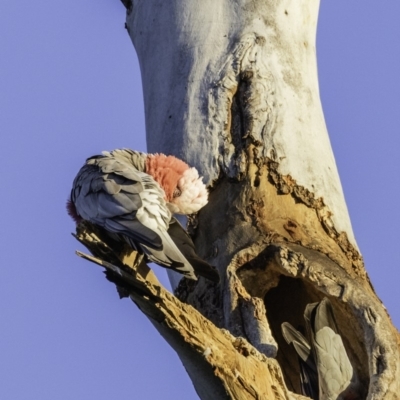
[69, 88]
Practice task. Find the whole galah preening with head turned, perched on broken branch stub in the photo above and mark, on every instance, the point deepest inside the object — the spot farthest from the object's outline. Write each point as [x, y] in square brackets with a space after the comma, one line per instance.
[134, 195]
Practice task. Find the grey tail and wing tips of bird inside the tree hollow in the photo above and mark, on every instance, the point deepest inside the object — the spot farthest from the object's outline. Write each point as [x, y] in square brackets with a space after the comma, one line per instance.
[325, 369]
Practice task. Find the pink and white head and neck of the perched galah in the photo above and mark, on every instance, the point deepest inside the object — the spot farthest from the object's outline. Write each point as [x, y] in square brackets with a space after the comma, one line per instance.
[184, 190]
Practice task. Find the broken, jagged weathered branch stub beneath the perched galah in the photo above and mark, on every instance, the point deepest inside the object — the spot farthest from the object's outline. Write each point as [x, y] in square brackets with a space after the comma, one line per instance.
[225, 366]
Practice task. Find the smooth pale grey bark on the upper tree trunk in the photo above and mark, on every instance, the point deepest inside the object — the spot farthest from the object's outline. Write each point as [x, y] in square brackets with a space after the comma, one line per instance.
[192, 56]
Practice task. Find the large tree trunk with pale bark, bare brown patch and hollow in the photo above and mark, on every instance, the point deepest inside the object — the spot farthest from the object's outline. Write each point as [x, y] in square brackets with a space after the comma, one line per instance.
[231, 87]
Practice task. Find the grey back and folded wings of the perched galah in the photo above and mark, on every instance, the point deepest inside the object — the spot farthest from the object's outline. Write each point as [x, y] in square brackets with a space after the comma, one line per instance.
[113, 191]
